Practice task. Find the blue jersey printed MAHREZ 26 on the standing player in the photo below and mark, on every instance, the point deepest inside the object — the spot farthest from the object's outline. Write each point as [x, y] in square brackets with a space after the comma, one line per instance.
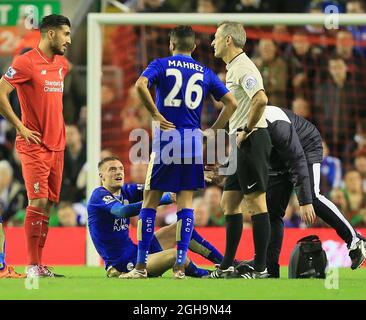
[181, 87]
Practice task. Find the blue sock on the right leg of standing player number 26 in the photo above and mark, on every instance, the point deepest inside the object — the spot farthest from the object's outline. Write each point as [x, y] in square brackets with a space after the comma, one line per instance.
[185, 221]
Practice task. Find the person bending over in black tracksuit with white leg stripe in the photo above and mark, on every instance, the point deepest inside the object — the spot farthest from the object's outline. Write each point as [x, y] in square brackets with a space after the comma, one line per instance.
[295, 164]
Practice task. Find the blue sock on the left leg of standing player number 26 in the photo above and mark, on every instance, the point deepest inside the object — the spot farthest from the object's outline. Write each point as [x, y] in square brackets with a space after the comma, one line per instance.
[145, 233]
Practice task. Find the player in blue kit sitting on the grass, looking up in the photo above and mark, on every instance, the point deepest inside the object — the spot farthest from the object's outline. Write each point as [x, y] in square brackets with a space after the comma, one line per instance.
[109, 210]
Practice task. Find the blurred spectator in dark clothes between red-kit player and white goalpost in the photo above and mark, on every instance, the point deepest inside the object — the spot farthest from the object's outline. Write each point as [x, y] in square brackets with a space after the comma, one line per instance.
[75, 158]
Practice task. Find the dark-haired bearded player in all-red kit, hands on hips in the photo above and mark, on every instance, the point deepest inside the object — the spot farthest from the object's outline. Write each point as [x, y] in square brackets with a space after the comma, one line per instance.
[38, 77]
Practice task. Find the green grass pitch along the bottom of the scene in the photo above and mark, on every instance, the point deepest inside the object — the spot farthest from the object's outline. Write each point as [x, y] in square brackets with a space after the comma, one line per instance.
[90, 283]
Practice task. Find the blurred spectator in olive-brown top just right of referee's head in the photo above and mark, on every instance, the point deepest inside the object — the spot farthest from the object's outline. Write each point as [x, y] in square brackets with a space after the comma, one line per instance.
[274, 72]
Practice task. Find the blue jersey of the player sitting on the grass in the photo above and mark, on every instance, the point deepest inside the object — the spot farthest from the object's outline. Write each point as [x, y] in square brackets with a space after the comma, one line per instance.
[109, 233]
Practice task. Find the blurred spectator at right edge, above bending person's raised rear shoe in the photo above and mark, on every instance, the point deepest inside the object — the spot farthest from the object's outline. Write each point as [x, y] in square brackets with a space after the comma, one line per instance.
[355, 199]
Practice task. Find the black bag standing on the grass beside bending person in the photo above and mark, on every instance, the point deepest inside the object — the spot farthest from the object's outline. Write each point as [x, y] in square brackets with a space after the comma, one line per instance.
[308, 259]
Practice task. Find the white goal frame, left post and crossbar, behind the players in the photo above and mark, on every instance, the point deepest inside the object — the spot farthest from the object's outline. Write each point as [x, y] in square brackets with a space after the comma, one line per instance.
[94, 67]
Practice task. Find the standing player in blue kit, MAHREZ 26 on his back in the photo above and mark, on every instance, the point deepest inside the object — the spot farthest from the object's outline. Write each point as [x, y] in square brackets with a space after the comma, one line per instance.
[181, 87]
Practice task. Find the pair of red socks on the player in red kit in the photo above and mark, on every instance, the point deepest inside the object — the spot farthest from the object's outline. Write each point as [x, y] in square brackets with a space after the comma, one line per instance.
[36, 229]
